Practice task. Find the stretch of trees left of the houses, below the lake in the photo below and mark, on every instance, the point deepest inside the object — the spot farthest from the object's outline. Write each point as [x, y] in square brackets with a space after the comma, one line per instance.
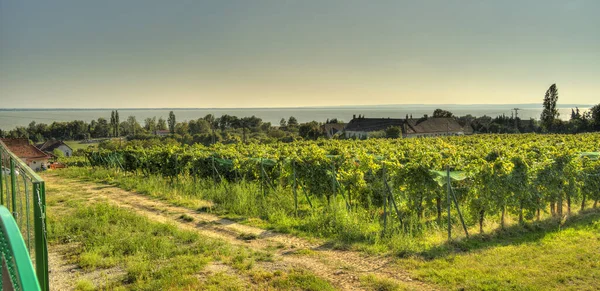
[206, 130]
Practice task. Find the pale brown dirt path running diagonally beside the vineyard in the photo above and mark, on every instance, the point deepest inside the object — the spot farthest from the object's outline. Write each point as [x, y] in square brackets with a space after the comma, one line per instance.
[341, 268]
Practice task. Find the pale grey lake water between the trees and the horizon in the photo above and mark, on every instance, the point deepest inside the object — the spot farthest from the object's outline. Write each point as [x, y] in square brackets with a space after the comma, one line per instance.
[11, 118]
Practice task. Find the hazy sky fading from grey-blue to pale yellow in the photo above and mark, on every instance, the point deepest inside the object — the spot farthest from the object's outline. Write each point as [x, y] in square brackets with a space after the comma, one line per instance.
[220, 53]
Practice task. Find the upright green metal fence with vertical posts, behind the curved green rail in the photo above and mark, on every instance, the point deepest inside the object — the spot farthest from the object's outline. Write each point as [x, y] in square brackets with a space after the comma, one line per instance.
[22, 192]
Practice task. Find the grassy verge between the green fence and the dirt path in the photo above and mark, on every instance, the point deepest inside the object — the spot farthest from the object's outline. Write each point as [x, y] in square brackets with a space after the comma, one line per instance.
[155, 256]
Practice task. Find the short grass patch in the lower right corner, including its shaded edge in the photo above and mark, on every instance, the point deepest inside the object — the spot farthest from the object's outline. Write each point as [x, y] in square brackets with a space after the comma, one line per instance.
[548, 256]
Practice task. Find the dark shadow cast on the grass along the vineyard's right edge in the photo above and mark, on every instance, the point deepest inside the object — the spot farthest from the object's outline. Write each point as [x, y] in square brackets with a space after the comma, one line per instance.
[513, 235]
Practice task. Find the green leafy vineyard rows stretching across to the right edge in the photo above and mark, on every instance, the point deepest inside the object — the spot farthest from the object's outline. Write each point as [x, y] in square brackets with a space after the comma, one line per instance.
[355, 189]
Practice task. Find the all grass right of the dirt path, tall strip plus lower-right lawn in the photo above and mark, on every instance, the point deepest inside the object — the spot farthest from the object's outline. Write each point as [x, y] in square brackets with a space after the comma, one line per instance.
[545, 255]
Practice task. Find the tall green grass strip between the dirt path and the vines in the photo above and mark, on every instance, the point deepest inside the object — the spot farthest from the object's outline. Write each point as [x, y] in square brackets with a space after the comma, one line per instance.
[360, 228]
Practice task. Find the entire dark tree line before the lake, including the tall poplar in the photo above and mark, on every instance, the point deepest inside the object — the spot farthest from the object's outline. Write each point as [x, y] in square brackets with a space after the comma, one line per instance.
[232, 129]
